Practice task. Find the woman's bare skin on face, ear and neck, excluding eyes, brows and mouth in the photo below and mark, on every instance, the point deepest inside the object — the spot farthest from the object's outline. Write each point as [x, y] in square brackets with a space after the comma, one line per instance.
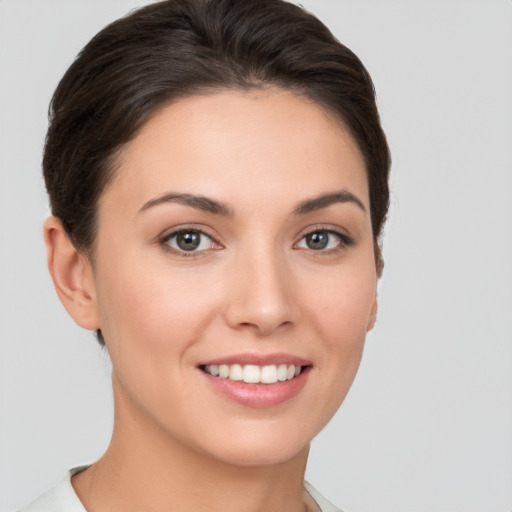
[255, 286]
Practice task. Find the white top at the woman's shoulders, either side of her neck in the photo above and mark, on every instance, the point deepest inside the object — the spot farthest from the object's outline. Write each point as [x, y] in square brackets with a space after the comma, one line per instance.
[63, 498]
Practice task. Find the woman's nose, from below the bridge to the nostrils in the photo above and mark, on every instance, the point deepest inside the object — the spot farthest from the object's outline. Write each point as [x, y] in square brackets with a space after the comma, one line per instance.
[260, 293]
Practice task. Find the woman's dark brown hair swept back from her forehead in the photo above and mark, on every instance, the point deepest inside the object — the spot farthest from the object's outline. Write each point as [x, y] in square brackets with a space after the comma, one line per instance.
[178, 48]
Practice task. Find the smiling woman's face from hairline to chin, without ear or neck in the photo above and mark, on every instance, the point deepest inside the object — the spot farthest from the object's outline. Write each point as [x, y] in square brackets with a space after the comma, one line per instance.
[234, 273]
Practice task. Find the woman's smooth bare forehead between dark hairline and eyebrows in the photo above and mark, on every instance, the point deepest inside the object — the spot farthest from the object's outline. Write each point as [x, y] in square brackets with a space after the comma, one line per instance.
[238, 145]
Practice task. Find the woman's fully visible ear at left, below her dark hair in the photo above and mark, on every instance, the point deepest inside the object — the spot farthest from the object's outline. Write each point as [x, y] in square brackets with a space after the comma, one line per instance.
[72, 275]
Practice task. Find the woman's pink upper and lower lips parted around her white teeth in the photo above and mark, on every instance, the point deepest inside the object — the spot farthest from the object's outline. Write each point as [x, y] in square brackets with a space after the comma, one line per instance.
[258, 395]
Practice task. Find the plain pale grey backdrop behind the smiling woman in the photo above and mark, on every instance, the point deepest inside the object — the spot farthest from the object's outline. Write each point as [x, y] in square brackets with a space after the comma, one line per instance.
[427, 426]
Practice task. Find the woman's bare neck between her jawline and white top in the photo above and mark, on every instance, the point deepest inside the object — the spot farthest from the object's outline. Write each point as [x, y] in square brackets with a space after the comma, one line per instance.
[145, 468]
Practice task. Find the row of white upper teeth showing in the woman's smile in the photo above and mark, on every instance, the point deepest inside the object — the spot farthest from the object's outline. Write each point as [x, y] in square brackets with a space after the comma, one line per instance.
[254, 374]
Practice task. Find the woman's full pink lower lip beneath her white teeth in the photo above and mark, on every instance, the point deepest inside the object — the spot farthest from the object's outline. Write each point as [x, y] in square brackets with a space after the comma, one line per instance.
[259, 395]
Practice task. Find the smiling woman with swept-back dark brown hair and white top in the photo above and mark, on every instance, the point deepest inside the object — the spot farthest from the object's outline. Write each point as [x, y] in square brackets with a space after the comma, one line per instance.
[218, 182]
